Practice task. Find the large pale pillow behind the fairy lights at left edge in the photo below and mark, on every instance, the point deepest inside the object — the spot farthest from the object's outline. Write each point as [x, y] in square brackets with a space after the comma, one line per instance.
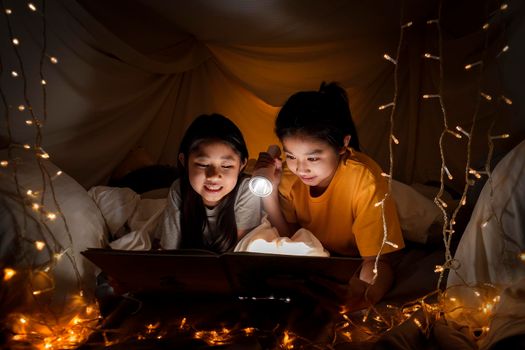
[21, 226]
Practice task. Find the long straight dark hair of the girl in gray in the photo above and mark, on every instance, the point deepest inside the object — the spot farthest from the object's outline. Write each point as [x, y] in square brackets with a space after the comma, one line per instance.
[204, 128]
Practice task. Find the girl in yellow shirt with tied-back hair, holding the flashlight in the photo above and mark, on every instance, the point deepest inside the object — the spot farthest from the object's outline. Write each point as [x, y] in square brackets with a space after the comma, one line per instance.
[332, 189]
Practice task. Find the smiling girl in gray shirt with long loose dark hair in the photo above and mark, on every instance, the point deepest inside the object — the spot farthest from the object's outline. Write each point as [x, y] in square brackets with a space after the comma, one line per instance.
[210, 206]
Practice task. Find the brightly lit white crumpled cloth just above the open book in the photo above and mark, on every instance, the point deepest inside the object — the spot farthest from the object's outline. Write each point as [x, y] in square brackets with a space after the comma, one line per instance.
[265, 239]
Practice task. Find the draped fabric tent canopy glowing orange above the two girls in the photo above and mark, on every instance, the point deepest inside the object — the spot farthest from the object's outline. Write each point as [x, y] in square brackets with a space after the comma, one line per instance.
[134, 73]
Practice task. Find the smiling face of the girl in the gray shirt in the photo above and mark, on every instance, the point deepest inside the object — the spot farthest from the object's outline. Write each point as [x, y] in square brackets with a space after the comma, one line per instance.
[213, 169]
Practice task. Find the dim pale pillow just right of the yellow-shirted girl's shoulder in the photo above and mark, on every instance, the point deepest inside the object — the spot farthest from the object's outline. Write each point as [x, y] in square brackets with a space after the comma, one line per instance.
[416, 212]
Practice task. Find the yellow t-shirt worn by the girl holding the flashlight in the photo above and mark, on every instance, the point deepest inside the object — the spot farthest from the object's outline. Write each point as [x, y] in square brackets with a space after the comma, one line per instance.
[345, 218]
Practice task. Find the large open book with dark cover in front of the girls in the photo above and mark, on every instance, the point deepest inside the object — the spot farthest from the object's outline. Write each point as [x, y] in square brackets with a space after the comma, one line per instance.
[206, 273]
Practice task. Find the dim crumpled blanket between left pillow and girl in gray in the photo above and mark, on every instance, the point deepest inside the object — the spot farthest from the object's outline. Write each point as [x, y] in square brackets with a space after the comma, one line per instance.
[131, 220]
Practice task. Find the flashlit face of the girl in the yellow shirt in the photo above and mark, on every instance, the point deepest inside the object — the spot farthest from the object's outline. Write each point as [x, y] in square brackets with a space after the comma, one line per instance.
[314, 161]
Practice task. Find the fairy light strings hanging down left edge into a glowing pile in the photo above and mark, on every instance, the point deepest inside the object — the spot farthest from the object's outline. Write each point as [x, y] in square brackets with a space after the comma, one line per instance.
[43, 326]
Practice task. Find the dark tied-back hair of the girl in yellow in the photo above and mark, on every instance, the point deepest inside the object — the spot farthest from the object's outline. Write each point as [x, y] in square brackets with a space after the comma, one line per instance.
[323, 114]
